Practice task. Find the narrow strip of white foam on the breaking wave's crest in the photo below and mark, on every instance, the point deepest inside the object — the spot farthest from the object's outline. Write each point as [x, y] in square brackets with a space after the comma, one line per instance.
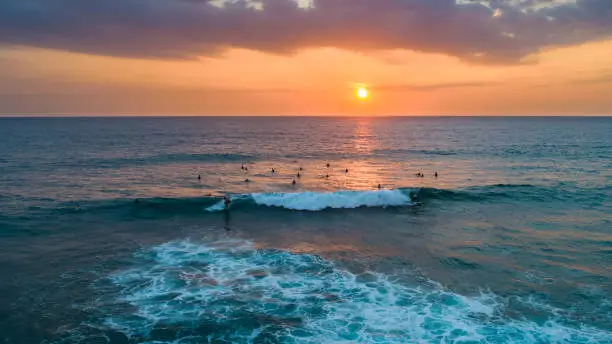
[314, 201]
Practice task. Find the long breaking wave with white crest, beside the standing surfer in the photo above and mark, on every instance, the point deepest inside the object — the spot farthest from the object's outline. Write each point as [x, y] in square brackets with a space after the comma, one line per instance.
[319, 201]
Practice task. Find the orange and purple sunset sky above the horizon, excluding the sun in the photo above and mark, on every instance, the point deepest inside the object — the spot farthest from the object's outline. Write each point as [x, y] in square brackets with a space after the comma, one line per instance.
[288, 57]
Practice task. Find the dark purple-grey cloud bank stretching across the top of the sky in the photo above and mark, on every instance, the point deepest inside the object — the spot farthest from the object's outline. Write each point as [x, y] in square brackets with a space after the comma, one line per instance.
[493, 31]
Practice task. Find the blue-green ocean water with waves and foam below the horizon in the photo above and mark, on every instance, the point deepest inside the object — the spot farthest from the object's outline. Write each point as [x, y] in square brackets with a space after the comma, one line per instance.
[108, 236]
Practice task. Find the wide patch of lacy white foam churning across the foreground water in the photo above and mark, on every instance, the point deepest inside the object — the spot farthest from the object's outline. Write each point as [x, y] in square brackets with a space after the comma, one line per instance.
[245, 293]
